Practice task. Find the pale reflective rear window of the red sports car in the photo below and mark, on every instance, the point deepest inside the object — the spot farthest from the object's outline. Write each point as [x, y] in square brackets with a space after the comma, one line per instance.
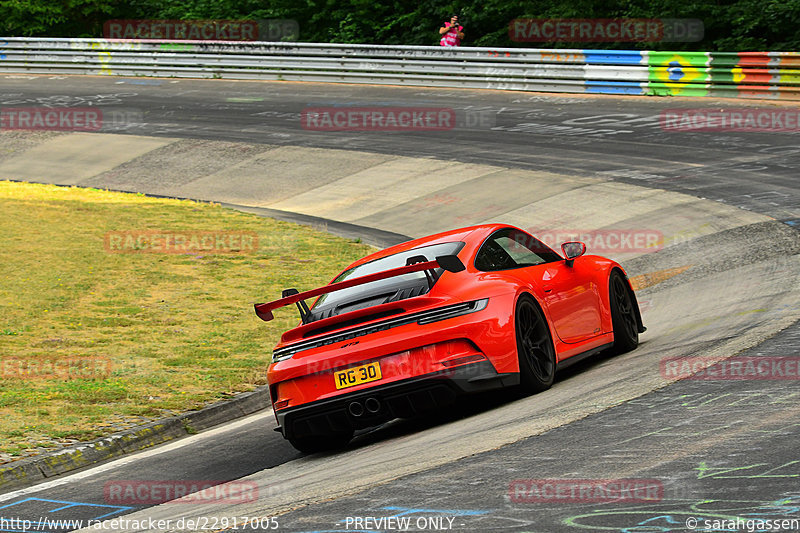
[385, 290]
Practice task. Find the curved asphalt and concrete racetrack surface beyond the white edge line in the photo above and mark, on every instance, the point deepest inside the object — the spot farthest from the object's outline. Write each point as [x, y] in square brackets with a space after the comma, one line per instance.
[726, 281]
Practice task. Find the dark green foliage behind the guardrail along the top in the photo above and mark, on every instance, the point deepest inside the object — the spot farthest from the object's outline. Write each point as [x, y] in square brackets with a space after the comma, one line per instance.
[731, 25]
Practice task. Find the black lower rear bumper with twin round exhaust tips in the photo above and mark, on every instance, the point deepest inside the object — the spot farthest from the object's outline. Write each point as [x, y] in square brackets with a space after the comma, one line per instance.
[382, 403]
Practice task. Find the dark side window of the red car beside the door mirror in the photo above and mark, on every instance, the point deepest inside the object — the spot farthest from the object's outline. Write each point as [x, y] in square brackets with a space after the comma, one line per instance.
[511, 248]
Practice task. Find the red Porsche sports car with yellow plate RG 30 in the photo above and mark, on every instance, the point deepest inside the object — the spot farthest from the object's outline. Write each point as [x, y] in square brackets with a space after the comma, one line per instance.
[408, 329]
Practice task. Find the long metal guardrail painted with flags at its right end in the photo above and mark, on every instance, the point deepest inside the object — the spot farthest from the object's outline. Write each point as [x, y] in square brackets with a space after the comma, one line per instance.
[722, 74]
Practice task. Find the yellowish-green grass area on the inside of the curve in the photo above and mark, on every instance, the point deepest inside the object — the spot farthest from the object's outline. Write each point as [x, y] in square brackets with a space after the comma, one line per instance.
[177, 331]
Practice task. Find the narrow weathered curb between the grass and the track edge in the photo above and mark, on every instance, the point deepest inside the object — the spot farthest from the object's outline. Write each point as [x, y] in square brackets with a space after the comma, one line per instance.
[25, 472]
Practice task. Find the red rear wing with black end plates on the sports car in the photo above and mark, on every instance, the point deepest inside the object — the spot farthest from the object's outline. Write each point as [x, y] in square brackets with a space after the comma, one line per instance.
[450, 263]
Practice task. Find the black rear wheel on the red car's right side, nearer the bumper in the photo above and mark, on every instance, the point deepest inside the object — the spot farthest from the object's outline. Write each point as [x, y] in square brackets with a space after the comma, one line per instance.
[535, 351]
